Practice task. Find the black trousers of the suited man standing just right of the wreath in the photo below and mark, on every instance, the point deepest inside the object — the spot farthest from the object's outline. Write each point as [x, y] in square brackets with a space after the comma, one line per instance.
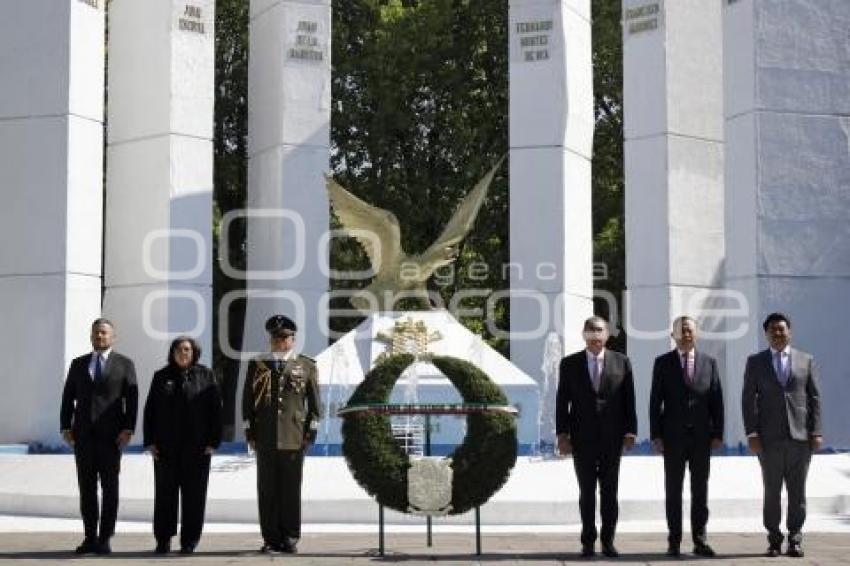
[598, 466]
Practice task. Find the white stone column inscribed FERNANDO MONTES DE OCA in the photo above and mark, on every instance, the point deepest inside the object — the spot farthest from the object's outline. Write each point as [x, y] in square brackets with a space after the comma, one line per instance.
[551, 137]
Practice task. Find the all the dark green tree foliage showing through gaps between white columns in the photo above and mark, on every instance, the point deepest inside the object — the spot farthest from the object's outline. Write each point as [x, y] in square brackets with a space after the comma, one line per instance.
[420, 113]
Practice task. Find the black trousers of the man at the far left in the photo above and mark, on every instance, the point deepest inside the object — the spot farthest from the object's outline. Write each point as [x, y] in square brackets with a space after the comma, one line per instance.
[98, 459]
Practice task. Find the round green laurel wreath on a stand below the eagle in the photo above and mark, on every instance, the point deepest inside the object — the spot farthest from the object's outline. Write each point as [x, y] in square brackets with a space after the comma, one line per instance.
[481, 464]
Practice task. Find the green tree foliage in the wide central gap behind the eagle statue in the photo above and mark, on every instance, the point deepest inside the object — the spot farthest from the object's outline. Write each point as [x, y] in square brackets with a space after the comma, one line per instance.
[420, 113]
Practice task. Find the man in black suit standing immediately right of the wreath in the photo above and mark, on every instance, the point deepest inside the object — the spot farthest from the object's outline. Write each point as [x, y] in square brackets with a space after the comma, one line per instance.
[595, 421]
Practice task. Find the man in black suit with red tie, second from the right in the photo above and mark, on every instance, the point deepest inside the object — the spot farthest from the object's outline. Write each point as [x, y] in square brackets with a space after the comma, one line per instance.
[686, 423]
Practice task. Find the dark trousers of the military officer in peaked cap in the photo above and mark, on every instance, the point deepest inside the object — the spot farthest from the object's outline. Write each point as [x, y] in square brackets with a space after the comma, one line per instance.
[279, 494]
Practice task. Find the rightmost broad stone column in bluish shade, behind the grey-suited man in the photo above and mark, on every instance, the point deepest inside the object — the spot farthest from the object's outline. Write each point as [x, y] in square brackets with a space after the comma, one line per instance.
[787, 107]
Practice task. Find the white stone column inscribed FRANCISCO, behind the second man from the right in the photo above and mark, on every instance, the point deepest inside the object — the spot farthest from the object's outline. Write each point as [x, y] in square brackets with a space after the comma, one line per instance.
[673, 111]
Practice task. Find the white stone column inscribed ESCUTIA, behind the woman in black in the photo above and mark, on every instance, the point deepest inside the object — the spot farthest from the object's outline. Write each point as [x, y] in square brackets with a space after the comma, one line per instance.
[159, 177]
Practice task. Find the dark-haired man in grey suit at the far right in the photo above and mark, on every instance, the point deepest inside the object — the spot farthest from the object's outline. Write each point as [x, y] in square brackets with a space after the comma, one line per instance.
[782, 419]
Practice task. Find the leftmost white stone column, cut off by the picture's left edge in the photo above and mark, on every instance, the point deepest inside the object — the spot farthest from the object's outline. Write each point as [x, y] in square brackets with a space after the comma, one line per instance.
[51, 176]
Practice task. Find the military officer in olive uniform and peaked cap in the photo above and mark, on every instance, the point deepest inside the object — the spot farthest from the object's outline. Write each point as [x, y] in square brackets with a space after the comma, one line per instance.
[280, 408]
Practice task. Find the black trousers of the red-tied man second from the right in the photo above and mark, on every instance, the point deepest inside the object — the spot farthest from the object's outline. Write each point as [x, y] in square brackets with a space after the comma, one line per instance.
[695, 454]
